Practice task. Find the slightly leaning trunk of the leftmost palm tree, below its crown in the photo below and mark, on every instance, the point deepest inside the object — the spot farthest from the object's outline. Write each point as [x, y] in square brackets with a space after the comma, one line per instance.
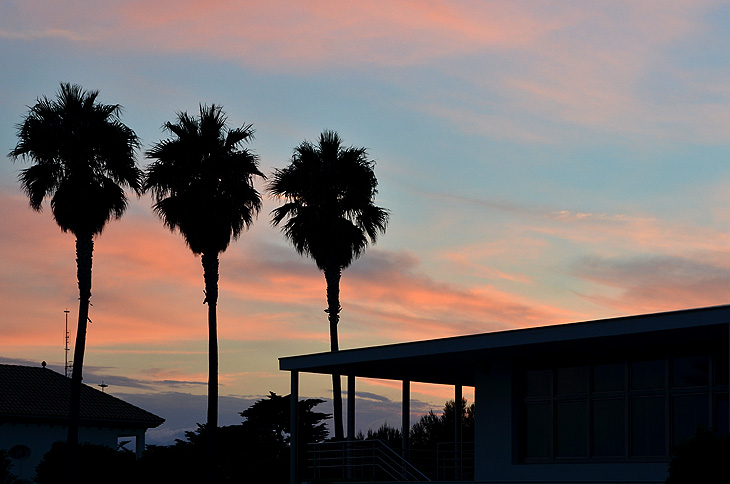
[84, 251]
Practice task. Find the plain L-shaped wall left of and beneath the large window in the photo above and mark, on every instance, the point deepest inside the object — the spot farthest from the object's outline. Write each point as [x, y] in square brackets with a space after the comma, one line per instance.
[496, 444]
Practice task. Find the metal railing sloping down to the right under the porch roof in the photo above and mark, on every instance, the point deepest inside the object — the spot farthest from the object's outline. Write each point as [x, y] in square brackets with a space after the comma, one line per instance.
[360, 460]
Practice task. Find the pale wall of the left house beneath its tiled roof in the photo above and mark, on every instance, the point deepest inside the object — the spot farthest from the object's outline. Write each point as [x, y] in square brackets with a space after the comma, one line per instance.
[39, 438]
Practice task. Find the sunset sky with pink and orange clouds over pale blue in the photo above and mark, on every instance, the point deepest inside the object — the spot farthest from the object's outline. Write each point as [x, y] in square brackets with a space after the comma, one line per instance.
[543, 163]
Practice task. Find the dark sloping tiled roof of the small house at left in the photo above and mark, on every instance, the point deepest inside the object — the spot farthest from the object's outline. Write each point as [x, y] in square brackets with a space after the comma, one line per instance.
[39, 394]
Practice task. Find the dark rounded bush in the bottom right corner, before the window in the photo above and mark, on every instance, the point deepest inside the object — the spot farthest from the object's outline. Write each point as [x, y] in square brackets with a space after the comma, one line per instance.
[703, 458]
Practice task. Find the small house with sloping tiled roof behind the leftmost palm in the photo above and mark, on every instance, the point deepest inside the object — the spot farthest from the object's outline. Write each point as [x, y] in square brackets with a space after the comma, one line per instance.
[34, 407]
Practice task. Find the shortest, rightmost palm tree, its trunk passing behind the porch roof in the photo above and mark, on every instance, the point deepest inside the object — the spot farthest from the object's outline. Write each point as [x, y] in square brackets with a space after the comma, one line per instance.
[329, 191]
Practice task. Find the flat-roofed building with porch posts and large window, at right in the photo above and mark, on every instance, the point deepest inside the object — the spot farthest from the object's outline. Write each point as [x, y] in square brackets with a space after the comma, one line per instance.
[589, 402]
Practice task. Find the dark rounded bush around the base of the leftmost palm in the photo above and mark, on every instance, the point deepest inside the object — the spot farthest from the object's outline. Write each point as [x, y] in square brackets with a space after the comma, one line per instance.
[98, 463]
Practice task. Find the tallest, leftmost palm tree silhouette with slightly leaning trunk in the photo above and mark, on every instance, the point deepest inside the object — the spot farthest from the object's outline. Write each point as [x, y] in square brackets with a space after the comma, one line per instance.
[83, 158]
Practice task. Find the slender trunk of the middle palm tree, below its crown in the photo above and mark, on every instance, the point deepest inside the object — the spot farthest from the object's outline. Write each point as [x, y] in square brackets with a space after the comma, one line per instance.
[210, 275]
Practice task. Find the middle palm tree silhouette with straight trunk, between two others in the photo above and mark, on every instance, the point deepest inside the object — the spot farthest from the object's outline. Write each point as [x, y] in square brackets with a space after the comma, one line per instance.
[202, 184]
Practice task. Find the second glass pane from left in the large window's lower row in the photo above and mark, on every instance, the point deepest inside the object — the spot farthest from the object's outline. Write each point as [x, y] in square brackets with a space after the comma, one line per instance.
[571, 429]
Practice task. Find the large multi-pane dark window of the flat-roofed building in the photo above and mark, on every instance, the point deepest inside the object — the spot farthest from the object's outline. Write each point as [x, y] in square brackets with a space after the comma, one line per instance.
[631, 409]
